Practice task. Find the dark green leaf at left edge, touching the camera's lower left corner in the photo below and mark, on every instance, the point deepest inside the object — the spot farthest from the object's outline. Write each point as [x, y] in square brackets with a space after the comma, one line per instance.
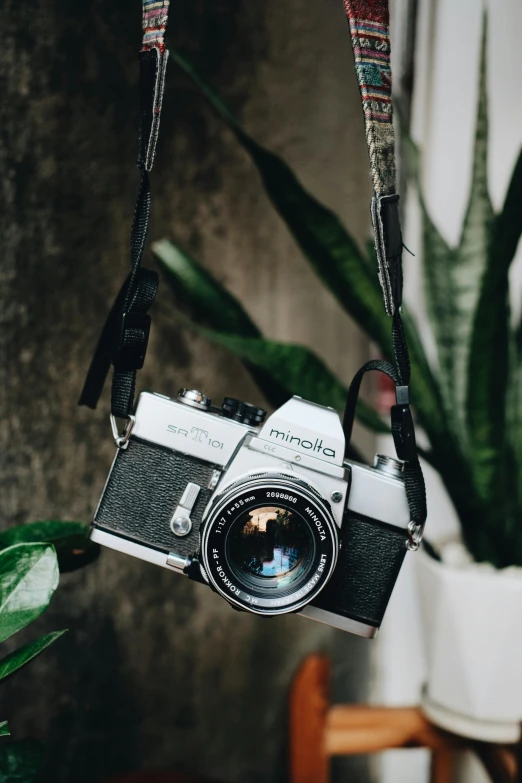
[70, 539]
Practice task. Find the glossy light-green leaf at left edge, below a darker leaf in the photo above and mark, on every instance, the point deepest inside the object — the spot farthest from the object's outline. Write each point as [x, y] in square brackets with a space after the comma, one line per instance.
[28, 578]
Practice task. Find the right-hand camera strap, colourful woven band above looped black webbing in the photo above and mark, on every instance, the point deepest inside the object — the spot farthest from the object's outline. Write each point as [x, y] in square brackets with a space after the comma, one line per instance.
[369, 22]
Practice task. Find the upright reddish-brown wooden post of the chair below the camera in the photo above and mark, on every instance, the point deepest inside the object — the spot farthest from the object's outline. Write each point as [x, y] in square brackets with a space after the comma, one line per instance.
[309, 703]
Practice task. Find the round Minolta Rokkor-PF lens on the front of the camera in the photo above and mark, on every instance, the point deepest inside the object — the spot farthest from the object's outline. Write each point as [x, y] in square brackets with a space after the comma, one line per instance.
[269, 544]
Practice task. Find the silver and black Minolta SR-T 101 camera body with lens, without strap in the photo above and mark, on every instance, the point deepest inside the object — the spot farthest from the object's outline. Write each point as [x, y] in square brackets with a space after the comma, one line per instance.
[269, 515]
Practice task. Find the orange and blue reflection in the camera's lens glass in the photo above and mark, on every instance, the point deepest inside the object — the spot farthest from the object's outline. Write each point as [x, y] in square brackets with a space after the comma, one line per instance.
[271, 543]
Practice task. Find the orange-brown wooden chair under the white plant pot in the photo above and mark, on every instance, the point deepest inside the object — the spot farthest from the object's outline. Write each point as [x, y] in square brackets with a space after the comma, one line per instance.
[319, 731]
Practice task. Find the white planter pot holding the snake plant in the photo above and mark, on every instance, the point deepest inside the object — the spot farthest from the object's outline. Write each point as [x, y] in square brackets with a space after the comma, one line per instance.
[472, 620]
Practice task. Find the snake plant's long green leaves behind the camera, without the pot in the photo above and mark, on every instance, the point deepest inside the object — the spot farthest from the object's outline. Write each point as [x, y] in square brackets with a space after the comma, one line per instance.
[467, 401]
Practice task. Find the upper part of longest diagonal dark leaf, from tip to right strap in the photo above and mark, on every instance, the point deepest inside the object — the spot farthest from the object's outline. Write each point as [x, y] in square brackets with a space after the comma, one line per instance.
[319, 233]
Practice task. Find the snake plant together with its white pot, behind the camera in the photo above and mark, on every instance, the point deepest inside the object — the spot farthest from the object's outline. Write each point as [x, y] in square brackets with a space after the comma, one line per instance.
[467, 404]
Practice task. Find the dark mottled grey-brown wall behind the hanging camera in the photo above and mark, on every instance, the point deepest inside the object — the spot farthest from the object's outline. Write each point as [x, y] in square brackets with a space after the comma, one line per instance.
[156, 671]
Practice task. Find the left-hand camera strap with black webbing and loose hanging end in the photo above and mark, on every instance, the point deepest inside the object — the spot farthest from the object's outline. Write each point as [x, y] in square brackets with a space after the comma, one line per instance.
[124, 338]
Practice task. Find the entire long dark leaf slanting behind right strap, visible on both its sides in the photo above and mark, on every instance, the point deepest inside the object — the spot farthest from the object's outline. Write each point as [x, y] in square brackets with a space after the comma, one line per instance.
[344, 270]
